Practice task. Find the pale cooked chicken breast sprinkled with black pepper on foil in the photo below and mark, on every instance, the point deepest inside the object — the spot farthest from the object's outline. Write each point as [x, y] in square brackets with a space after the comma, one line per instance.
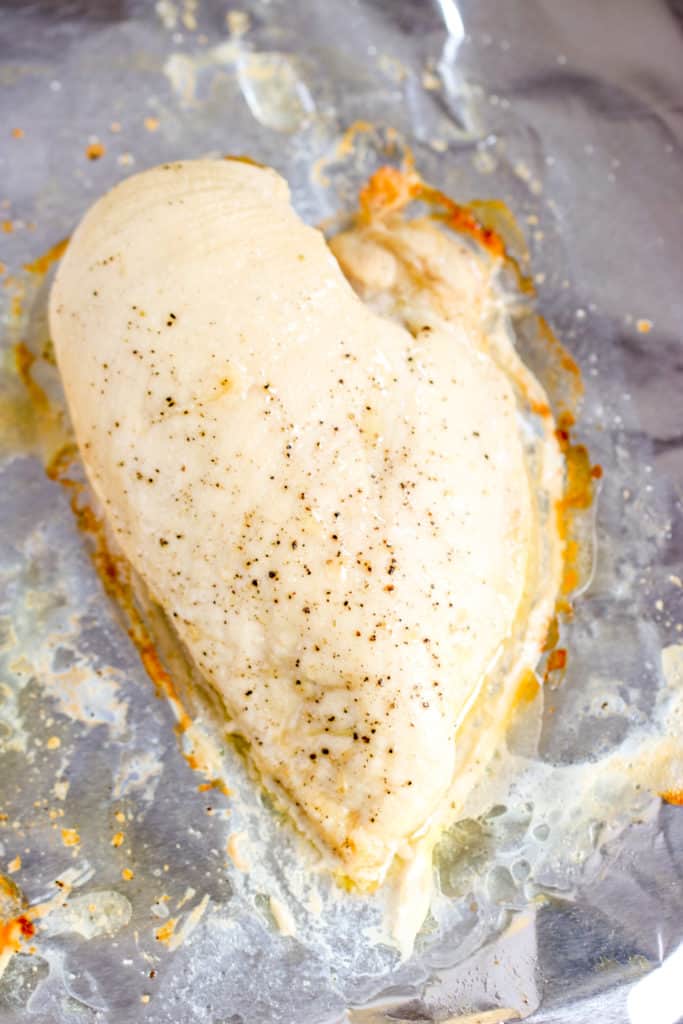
[337, 502]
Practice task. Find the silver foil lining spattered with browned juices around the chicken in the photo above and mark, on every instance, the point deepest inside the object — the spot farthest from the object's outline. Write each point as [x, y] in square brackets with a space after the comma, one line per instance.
[176, 901]
